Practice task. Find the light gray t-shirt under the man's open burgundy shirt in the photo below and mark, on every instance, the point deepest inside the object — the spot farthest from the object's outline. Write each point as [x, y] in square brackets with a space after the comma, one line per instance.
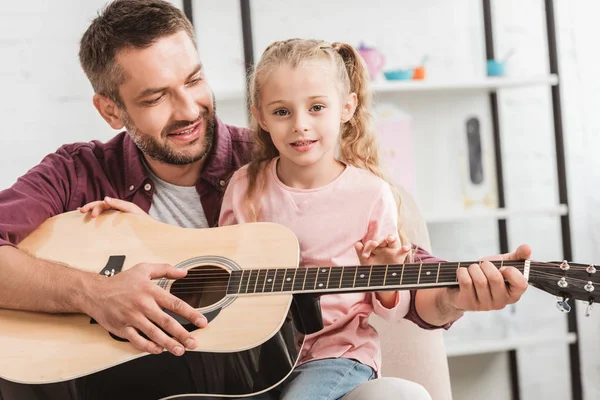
[176, 205]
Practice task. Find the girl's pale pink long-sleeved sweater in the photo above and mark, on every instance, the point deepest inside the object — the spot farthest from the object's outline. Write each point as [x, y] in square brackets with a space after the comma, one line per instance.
[328, 221]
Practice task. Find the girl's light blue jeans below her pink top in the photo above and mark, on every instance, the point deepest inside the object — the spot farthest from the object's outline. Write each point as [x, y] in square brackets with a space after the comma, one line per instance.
[328, 379]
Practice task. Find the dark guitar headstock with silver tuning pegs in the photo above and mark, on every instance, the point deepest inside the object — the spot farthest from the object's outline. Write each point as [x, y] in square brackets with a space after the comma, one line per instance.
[567, 281]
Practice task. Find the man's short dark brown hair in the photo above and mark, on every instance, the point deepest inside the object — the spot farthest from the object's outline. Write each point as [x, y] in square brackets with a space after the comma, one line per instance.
[125, 24]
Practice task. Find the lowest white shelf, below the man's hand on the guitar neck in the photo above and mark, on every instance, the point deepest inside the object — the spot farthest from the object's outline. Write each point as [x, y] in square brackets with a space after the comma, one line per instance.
[473, 347]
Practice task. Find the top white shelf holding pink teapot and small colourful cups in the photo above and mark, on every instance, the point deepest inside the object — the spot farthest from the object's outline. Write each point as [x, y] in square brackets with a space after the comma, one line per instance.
[485, 83]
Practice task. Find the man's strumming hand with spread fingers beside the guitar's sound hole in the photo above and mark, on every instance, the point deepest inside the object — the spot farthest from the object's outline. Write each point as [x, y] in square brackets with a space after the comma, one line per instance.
[130, 301]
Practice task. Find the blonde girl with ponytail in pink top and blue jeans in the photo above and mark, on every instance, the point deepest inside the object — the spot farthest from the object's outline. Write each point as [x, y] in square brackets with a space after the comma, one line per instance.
[310, 99]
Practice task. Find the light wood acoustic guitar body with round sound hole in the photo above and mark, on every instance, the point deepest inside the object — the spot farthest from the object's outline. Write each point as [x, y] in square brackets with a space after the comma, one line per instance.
[251, 343]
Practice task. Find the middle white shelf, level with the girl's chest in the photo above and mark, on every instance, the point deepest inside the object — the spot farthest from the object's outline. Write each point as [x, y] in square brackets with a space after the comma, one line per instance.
[500, 213]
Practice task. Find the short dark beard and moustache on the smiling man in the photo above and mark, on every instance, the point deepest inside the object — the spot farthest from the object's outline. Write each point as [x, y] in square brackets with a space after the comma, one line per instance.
[162, 152]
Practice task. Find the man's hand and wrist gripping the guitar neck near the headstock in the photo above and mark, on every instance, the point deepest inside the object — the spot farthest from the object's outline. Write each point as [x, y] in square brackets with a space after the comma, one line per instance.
[482, 287]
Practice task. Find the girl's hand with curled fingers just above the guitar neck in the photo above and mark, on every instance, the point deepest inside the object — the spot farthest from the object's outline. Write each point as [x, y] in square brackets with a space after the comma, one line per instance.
[382, 251]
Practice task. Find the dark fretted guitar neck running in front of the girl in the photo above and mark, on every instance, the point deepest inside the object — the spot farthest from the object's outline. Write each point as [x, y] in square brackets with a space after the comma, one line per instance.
[340, 279]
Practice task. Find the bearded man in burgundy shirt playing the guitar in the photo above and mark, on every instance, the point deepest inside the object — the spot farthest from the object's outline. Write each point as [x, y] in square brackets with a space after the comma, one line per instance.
[173, 162]
